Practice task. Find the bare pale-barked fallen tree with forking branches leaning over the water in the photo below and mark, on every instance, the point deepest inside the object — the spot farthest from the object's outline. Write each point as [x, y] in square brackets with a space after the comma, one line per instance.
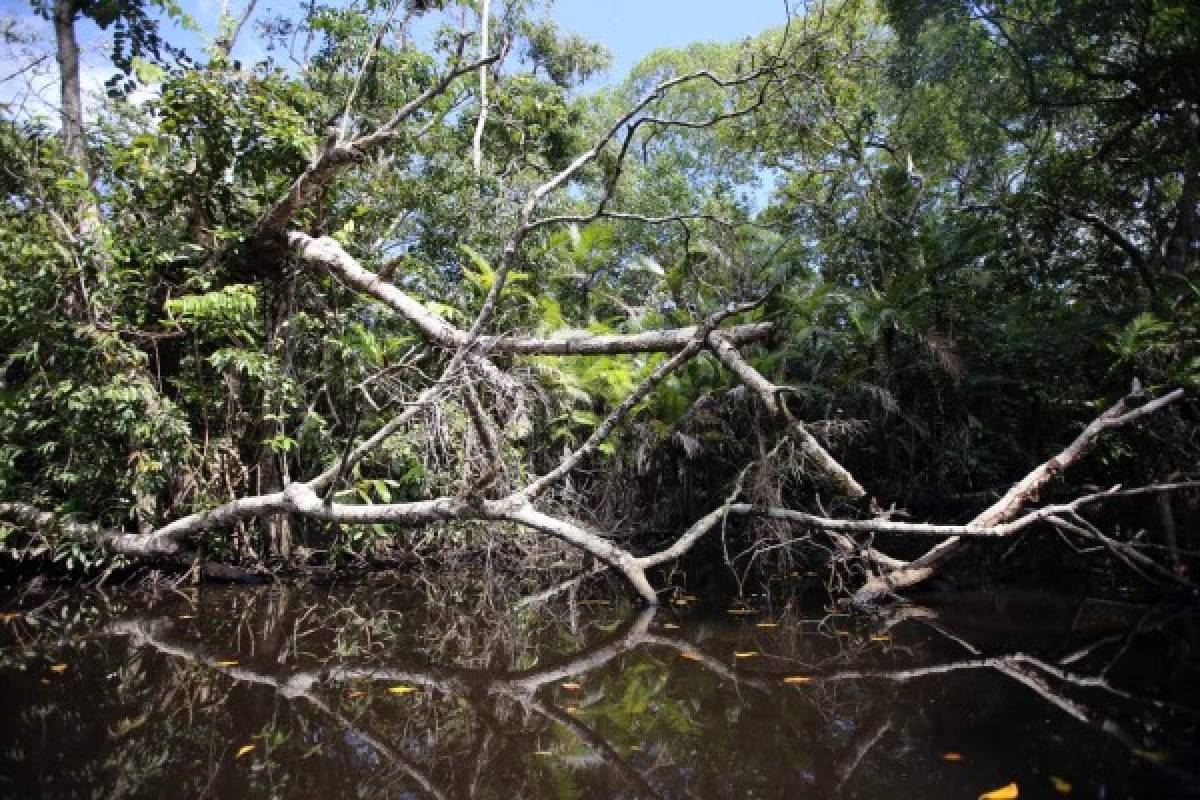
[473, 357]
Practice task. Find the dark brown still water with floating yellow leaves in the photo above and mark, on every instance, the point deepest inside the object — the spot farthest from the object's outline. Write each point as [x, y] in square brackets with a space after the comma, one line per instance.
[362, 693]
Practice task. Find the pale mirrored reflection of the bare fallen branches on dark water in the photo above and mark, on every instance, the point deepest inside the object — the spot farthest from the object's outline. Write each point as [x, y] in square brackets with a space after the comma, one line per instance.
[495, 696]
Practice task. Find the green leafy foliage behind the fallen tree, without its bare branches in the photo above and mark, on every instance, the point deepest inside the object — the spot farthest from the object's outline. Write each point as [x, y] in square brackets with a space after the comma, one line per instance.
[969, 224]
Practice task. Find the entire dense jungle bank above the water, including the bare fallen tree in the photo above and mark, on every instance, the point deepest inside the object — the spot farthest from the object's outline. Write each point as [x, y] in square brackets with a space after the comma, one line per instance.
[797, 293]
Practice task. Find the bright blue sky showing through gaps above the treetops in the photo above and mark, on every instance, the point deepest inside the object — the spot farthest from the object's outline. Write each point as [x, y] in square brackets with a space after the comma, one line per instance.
[631, 29]
